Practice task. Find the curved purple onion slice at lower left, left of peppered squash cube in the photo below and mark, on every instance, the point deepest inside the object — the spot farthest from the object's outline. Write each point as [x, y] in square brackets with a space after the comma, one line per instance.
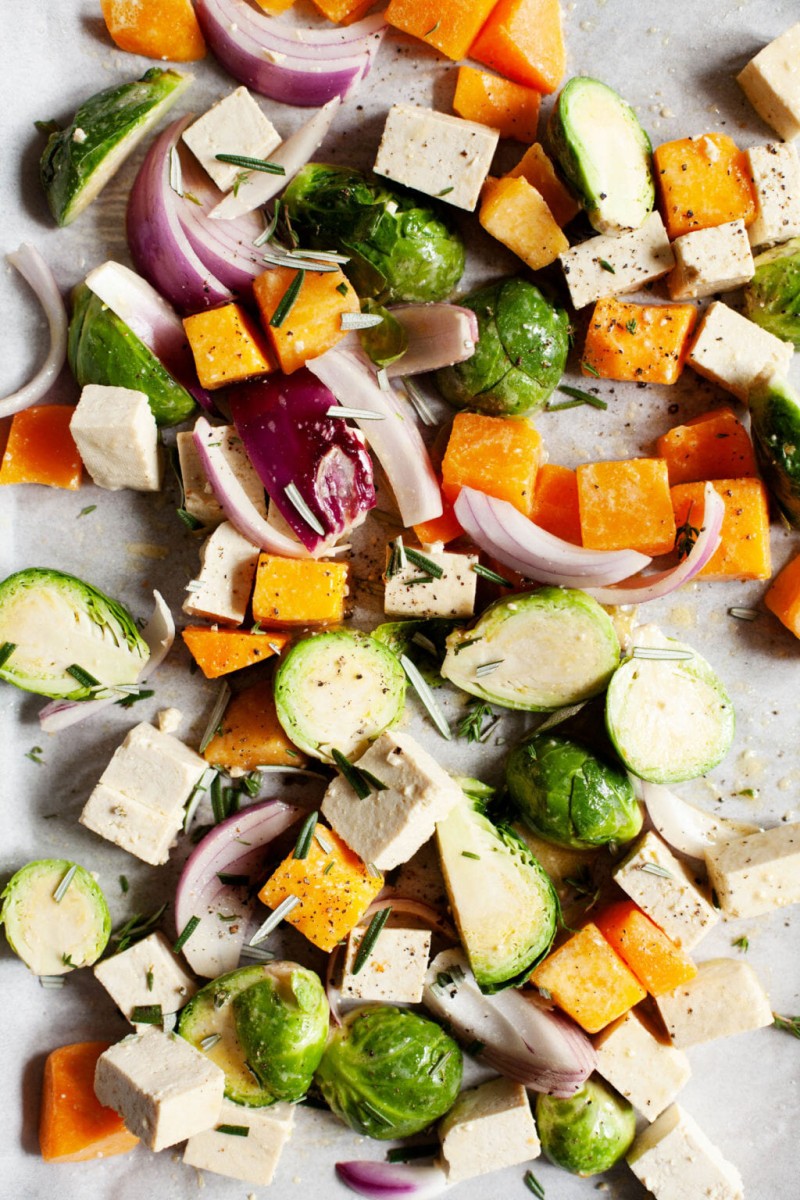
[236, 848]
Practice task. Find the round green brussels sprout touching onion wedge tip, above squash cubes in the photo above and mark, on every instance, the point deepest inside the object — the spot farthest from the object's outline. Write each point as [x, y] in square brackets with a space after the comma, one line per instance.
[521, 352]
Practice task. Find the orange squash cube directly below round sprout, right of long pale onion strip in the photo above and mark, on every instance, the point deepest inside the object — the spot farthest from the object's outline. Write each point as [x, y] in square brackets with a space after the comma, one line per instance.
[496, 455]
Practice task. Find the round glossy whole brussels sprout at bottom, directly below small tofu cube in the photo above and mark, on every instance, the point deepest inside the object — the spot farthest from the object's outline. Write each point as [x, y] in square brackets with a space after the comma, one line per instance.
[389, 1073]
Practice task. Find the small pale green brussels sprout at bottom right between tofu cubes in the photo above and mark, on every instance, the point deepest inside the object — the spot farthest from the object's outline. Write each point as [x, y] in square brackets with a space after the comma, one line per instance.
[590, 1132]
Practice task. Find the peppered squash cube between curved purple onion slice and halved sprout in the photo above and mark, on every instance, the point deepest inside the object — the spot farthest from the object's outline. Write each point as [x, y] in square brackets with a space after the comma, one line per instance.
[334, 889]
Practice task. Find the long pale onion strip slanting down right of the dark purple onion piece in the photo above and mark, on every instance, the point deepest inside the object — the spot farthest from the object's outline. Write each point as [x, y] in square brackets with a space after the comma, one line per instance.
[396, 441]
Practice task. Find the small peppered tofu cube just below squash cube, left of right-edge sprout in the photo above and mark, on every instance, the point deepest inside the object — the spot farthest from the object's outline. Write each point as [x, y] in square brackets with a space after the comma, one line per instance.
[709, 261]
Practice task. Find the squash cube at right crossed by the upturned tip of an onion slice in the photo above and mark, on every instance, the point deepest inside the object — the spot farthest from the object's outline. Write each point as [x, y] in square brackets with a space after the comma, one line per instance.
[744, 553]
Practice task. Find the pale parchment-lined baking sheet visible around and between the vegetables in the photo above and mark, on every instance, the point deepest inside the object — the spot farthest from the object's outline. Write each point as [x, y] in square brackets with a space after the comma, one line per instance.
[676, 64]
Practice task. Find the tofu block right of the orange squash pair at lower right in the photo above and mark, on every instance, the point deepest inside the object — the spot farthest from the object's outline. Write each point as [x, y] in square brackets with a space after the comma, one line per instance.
[725, 998]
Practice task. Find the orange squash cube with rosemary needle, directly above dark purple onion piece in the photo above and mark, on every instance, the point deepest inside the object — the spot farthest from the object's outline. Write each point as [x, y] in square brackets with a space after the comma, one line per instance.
[314, 321]
